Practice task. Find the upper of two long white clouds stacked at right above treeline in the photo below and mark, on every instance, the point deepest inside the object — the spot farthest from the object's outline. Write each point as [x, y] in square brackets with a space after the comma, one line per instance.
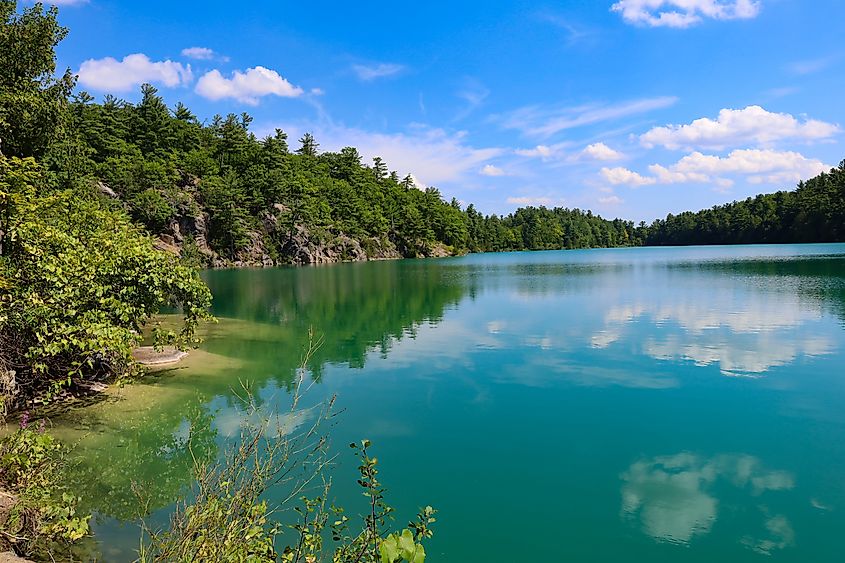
[738, 127]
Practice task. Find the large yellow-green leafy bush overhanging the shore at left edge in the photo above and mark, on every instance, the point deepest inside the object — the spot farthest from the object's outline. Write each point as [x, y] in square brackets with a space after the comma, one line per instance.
[79, 284]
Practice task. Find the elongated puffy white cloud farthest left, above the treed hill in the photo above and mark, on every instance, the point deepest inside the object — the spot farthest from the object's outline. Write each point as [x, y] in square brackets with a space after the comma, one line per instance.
[111, 75]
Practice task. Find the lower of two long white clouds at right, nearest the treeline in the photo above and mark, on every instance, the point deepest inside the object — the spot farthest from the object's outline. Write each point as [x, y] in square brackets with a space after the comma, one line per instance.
[758, 166]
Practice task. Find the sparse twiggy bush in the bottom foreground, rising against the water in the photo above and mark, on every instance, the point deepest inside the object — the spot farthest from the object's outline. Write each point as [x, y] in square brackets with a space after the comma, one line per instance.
[229, 518]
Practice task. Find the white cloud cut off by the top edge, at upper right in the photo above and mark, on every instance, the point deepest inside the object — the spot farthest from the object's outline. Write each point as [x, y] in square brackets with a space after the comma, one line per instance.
[684, 13]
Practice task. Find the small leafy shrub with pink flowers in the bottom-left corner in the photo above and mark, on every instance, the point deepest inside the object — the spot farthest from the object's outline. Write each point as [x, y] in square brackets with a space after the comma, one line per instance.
[44, 519]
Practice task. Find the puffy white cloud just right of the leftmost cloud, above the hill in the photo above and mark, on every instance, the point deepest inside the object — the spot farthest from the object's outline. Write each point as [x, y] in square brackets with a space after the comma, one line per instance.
[247, 87]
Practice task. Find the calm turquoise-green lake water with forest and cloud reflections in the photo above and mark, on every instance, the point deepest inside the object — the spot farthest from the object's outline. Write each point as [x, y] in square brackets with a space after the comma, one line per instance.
[610, 405]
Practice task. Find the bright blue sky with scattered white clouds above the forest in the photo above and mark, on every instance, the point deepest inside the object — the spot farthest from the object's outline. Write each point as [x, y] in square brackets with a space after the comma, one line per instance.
[631, 108]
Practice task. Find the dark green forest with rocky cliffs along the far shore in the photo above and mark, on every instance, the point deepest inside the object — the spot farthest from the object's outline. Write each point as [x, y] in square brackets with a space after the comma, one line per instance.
[218, 195]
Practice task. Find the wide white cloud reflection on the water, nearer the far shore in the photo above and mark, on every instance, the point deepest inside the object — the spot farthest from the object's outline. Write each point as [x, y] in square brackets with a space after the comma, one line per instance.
[744, 333]
